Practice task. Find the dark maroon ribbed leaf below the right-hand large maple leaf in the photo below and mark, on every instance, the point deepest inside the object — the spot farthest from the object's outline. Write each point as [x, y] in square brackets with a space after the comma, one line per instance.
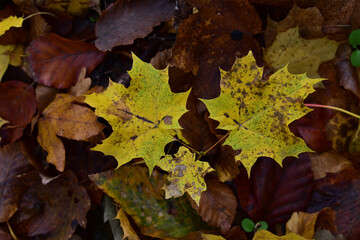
[276, 192]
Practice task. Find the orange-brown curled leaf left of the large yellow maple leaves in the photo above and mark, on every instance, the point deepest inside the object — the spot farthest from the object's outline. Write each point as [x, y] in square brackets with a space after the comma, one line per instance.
[65, 118]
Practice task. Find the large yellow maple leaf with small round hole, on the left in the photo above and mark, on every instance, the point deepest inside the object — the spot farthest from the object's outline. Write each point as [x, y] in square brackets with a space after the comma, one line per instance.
[143, 116]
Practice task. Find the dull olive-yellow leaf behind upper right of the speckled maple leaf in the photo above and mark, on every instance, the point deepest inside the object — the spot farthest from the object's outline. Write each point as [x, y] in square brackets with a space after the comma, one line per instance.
[301, 55]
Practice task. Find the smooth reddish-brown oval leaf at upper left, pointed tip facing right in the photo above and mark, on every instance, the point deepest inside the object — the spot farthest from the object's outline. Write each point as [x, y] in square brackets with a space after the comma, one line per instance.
[56, 61]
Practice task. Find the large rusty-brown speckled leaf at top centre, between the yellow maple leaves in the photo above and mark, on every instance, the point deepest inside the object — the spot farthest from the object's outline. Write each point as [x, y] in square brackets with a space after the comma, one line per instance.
[204, 42]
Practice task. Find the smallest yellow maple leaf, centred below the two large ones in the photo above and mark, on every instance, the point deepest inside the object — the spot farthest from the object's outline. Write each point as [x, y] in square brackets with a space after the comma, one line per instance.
[186, 175]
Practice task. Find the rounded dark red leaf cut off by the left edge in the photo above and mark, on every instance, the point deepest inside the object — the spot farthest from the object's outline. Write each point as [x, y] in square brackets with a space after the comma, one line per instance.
[18, 106]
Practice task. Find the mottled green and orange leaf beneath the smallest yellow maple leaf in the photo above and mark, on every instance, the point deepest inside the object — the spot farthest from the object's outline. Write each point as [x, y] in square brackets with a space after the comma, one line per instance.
[143, 199]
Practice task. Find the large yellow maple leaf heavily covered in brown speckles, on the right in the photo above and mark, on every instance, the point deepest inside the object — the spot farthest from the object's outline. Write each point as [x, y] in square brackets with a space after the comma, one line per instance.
[258, 112]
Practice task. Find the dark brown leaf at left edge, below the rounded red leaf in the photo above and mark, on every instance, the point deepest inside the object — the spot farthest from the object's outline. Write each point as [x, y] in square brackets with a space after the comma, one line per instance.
[14, 168]
